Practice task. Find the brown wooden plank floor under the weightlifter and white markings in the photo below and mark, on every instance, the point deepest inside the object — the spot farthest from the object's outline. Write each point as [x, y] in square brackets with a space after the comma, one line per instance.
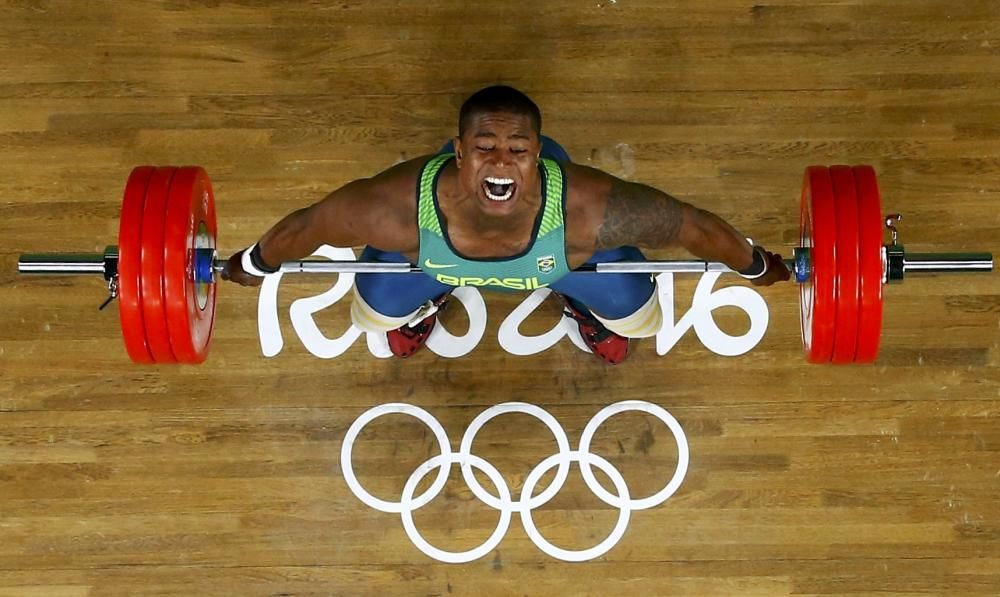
[225, 479]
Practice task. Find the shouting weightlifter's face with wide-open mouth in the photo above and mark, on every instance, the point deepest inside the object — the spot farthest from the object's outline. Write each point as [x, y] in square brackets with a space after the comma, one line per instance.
[497, 159]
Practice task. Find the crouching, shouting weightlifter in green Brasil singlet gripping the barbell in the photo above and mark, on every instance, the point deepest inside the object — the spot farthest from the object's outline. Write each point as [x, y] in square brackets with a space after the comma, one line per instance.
[502, 207]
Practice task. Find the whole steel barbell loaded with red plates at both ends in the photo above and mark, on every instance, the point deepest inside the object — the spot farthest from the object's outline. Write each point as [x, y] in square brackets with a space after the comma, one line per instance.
[163, 270]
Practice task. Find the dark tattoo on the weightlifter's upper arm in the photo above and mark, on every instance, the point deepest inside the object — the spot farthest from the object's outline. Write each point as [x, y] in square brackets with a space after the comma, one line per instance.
[639, 215]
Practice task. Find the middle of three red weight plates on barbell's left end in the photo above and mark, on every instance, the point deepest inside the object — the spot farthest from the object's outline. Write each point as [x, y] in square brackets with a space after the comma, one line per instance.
[153, 308]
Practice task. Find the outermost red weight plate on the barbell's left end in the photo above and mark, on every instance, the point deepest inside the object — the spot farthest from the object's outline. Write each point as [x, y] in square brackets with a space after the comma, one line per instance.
[129, 265]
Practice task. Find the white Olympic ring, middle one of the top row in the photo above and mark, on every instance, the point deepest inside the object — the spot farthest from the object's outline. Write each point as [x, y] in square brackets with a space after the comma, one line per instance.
[522, 408]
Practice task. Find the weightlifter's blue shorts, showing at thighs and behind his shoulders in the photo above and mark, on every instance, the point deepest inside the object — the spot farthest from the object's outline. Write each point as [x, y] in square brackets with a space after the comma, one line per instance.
[611, 296]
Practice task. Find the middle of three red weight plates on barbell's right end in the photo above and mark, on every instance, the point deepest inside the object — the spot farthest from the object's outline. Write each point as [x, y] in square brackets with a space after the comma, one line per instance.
[845, 338]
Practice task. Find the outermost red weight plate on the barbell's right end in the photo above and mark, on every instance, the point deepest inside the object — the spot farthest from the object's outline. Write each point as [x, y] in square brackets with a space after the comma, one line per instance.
[870, 228]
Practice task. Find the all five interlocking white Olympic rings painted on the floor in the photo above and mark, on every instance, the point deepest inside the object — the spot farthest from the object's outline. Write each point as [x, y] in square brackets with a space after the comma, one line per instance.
[503, 501]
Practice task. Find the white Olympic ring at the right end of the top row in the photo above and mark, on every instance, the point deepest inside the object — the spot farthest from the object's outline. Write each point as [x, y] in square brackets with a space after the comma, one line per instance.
[660, 413]
